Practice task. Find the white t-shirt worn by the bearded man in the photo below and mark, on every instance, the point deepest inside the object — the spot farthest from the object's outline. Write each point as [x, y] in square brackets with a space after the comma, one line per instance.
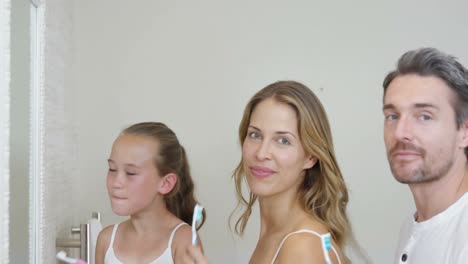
[441, 239]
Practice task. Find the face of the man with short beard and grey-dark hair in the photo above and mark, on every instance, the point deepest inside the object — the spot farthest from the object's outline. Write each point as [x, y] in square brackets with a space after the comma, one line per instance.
[420, 131]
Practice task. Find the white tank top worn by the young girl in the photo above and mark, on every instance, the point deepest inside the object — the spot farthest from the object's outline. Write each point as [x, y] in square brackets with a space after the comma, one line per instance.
[164, 258]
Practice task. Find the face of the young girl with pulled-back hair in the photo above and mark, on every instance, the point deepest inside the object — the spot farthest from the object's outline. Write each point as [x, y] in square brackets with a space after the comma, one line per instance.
[132, 179]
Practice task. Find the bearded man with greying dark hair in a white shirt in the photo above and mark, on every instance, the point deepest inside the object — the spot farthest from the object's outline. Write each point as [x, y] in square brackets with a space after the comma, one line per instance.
[426, 137]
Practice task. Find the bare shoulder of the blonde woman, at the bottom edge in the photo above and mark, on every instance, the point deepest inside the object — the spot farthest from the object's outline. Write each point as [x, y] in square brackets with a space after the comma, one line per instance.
[303, 247]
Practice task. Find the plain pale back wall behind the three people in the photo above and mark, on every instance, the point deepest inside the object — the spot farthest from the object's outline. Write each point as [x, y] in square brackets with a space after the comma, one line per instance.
[195, 64]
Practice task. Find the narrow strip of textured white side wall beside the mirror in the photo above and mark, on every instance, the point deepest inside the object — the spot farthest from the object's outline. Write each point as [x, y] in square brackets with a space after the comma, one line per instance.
[58, 126]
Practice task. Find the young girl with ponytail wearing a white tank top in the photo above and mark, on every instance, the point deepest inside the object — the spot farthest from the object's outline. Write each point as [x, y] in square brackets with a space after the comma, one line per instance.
[149, 180]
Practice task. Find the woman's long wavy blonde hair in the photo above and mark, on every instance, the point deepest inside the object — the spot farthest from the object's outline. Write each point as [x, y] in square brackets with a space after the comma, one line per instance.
[323, 191]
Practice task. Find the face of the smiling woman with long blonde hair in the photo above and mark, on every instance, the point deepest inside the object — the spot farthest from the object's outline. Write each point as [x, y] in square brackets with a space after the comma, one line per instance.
[273, 156]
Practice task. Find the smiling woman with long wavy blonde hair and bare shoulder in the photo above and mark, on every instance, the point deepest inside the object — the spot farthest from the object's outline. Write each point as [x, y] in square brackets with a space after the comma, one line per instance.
[289, 163]
